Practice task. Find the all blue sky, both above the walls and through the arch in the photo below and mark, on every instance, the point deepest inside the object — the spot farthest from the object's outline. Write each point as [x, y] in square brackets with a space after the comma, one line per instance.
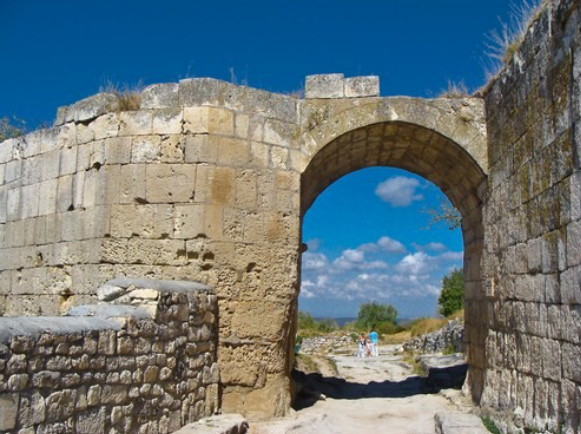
[57, 52]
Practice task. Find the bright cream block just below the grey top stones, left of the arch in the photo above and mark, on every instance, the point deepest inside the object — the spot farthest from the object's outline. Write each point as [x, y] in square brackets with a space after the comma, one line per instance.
[208, 120]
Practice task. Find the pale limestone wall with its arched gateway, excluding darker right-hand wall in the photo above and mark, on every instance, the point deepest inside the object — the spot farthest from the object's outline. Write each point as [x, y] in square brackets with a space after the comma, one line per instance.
[208, 181]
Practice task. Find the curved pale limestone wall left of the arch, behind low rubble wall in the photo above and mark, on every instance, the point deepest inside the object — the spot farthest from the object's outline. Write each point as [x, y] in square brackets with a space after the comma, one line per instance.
[200, 184]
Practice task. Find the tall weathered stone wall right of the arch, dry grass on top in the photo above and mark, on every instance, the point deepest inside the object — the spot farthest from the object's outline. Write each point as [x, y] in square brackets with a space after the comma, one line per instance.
[532, 218]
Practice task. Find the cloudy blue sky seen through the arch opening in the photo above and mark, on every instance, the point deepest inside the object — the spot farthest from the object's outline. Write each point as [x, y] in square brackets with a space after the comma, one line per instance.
[369, 240]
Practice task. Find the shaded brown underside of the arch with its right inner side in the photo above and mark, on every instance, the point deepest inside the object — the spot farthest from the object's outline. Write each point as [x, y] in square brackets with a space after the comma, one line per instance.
[445, 163]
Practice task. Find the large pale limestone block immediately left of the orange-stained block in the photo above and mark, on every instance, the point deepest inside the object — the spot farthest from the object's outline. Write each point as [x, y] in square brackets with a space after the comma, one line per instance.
[170, 183]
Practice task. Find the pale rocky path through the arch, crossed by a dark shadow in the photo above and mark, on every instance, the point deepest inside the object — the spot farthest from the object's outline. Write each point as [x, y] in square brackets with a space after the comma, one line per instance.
[370, 395]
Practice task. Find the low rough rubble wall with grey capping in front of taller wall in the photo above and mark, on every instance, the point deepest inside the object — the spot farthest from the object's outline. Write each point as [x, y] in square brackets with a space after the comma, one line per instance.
[142, 361]
